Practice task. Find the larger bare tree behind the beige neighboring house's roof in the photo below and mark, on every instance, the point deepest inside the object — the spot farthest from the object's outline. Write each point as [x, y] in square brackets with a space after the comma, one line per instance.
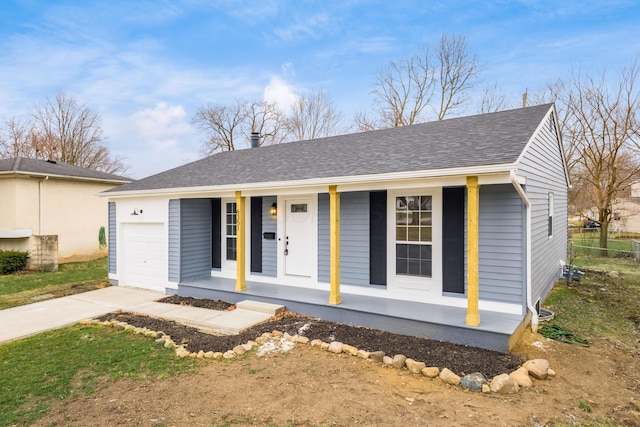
[72, 133]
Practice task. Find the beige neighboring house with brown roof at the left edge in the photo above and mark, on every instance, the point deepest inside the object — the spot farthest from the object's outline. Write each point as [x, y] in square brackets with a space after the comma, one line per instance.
[51, 210]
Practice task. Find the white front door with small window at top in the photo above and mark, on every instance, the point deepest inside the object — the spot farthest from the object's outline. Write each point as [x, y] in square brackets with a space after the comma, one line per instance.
[300, 229]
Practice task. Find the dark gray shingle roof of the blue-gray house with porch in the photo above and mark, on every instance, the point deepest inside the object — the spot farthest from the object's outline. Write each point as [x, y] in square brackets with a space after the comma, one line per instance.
[465, 142]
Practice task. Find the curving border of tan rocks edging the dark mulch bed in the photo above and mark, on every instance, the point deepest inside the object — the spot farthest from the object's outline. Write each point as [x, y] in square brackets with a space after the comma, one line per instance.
[505, 383]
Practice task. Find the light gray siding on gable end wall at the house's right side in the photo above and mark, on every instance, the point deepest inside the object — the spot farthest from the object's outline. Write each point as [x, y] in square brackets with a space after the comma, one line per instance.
[543, 167]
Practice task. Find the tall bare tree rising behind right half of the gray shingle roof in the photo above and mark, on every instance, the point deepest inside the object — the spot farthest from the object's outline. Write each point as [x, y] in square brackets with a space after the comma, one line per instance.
[439, 78]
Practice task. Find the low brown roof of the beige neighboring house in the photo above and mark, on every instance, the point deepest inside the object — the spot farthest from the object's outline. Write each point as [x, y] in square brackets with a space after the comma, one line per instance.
[24, 166]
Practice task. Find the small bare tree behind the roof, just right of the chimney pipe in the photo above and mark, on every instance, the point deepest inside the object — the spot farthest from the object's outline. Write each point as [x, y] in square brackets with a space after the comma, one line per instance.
[313, 116]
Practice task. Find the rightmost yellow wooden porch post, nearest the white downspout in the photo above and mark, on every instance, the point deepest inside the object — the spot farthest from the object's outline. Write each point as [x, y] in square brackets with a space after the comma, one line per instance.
[473, 200]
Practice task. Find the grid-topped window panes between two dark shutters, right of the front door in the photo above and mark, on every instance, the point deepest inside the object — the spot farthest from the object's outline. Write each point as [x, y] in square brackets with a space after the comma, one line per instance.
[414, 223]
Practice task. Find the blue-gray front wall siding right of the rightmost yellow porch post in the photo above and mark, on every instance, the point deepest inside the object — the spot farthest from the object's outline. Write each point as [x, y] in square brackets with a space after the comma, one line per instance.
[501, 244]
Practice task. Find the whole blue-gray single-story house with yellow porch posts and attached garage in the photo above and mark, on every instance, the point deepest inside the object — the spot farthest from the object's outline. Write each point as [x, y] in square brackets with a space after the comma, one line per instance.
[452, 230]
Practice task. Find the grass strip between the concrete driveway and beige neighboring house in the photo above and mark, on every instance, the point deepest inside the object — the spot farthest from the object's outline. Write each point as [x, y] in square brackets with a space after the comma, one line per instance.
[19, 288]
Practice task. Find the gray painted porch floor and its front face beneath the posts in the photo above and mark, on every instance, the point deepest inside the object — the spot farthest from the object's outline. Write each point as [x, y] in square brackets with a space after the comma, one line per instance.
[497, 331]
